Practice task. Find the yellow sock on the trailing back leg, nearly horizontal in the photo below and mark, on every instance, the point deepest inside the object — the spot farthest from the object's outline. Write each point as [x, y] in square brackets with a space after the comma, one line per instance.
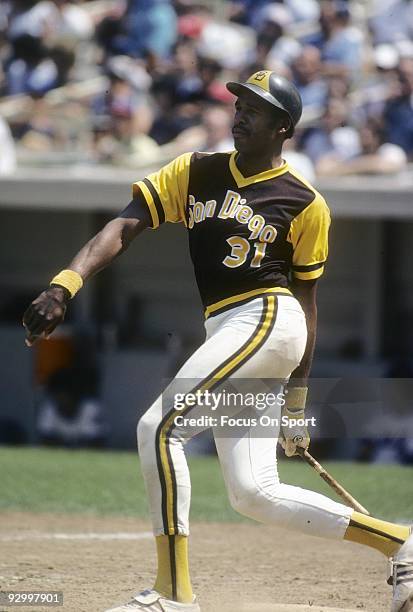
[381, 535]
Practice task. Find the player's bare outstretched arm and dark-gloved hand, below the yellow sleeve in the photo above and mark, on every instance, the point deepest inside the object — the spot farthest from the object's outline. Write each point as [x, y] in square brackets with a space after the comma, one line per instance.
[49, 308]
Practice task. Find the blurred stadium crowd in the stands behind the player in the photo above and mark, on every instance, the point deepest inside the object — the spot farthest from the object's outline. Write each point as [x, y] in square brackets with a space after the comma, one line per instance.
[135, 82]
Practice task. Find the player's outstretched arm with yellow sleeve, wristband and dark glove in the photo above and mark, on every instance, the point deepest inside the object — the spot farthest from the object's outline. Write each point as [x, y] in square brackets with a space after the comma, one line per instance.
[159, 197]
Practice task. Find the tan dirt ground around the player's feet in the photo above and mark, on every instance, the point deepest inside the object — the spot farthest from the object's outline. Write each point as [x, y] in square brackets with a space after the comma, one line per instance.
[236, 567]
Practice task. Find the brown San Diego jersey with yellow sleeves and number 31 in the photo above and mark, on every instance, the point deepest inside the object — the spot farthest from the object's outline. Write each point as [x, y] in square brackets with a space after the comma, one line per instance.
[247, 235]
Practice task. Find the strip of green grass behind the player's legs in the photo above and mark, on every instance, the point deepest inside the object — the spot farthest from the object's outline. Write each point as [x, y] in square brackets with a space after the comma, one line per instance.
[95, 482]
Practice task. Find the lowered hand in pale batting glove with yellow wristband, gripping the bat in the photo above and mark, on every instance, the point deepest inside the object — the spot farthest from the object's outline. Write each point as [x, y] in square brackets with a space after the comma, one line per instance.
[294, 434]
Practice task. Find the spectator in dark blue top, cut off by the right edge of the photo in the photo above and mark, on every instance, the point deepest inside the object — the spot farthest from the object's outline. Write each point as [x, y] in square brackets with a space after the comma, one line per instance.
[398, 112]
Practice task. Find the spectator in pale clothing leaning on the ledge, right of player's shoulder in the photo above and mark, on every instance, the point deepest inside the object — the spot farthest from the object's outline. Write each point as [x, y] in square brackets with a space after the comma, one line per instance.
[375, 156]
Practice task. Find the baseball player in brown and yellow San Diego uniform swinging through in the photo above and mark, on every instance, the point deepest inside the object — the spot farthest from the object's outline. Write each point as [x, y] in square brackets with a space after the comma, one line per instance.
[258, 241]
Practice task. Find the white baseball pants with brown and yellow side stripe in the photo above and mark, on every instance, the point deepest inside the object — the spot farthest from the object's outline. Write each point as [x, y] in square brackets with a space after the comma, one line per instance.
[262, 339]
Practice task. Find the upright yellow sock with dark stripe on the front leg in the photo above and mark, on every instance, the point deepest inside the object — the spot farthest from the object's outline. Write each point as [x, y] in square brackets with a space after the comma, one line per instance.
[173, 581]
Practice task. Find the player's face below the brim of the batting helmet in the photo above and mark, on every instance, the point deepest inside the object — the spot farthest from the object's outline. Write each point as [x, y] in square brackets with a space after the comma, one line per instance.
[257, 128]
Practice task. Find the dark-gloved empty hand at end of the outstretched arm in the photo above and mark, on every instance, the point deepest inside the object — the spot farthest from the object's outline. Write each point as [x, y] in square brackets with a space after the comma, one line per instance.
[45, 313]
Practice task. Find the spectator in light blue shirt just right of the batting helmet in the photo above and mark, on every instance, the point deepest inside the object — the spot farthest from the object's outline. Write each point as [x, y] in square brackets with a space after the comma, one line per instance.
[307, 71]
